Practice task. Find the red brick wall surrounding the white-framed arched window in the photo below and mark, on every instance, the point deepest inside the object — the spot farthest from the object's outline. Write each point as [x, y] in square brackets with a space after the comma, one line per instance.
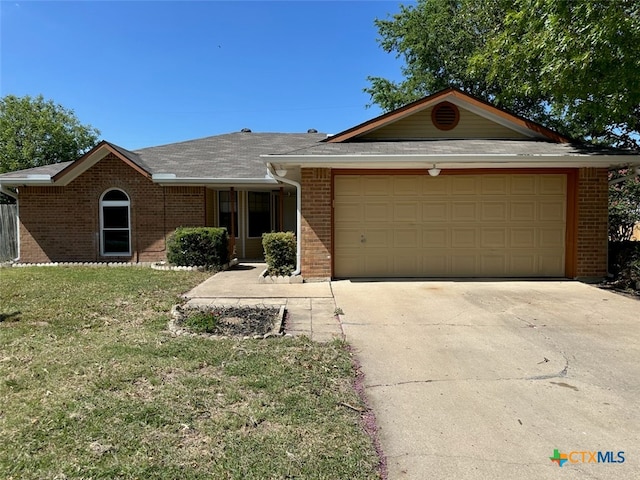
[62, 224]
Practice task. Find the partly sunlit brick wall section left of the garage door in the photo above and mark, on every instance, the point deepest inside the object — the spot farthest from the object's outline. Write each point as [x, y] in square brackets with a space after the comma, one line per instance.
[316, 223]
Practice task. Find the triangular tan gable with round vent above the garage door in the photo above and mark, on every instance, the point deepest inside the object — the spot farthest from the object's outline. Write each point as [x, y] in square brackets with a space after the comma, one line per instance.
[475, 119]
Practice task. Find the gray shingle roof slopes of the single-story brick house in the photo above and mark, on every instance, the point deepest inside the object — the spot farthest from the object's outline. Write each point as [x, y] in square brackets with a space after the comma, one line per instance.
[238, 155]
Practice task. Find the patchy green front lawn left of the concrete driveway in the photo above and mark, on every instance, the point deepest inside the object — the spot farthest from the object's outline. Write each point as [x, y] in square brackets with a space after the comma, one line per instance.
[93, 387]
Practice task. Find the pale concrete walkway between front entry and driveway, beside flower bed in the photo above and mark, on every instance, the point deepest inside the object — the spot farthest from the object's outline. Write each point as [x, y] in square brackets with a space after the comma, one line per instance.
[310, 307]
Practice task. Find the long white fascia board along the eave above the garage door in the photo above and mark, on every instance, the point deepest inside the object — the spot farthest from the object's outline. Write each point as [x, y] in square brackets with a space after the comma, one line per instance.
[456, 161]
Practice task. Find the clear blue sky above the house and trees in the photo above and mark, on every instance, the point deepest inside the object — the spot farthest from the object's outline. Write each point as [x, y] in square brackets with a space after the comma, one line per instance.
[149, 73]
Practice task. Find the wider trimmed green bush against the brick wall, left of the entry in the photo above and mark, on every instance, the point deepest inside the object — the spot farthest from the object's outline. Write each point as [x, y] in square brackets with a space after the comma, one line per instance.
[198, 246]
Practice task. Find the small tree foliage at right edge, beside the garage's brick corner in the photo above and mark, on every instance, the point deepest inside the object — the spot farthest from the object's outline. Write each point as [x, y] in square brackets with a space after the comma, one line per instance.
[624, 206]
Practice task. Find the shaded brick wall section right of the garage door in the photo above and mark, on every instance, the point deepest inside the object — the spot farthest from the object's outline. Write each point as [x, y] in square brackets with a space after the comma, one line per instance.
[591, 247]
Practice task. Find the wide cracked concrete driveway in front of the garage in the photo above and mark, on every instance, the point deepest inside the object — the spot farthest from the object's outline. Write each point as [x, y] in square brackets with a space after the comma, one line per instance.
[485, 379]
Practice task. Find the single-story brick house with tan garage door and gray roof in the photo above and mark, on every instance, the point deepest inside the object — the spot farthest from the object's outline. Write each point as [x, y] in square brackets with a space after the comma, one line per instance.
[448, 186]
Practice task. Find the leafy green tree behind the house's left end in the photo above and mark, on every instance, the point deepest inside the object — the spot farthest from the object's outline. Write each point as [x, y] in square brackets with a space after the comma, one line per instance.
[36, 132]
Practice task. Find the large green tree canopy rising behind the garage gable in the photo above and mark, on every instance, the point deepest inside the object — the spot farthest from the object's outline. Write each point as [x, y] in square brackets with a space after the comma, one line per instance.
[570, 64]
